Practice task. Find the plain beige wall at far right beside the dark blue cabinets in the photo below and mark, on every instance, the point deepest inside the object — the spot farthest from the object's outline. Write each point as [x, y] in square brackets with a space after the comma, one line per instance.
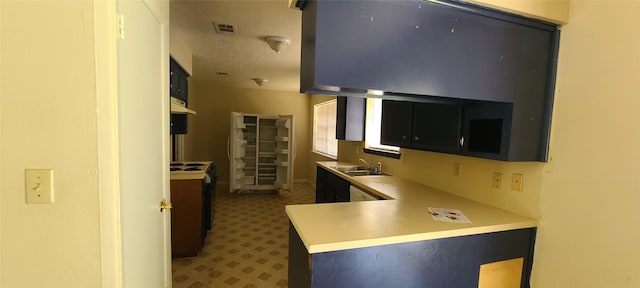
[589, 229]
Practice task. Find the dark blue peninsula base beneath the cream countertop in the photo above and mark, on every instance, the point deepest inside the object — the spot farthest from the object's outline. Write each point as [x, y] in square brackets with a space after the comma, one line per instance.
[438, 263]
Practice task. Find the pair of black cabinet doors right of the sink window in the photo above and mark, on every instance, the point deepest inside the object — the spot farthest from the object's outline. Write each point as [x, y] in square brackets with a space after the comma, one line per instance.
[422, 126]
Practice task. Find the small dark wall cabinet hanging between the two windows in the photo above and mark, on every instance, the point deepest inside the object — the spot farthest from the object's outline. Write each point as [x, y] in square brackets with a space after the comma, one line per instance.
[350, 118]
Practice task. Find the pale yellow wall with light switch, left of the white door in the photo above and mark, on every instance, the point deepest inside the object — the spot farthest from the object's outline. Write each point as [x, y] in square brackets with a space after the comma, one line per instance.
[48, 120]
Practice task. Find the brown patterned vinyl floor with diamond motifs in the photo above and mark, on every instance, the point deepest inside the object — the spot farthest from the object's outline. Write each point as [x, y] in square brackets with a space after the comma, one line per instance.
[248, 245]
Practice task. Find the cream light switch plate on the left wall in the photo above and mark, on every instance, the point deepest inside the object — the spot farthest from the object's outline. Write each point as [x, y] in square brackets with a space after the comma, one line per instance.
[39, 185]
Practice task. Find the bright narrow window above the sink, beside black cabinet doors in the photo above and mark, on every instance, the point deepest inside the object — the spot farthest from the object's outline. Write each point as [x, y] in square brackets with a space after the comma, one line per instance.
[372, 131]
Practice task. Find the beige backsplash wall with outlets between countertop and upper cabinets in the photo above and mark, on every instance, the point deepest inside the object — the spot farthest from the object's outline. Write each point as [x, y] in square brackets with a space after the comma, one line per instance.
[474, 182]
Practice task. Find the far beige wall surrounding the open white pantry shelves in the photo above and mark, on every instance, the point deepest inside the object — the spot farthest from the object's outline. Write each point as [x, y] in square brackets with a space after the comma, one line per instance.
[209, 129]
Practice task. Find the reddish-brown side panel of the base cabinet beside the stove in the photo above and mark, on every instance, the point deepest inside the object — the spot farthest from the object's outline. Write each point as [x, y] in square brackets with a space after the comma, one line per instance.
[186, 217]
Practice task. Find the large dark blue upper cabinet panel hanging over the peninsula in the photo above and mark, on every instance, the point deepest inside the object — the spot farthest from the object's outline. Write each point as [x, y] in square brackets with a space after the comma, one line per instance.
[423, 48]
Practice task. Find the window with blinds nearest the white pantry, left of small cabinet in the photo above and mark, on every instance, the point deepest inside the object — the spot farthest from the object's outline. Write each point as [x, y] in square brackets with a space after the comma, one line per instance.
[324, 129]
